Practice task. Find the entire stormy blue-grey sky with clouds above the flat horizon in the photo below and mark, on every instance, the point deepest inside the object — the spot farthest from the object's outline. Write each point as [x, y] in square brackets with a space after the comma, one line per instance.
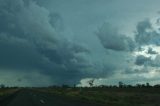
[55, 42]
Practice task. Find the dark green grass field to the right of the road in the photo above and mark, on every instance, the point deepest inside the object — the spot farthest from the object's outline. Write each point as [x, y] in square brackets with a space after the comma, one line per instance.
[110, 96]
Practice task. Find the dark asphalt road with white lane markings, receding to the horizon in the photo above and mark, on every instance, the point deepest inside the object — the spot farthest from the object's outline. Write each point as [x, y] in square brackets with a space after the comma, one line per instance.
[33, 98]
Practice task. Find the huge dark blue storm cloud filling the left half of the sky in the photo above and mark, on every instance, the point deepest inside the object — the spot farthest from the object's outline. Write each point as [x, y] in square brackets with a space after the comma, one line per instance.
[29, 40]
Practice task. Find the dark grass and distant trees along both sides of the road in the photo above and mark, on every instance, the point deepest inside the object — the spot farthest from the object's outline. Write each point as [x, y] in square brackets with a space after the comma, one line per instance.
[120, 95]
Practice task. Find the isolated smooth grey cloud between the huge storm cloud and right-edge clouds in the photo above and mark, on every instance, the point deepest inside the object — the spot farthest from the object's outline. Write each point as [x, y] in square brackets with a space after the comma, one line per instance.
[111, 39]
